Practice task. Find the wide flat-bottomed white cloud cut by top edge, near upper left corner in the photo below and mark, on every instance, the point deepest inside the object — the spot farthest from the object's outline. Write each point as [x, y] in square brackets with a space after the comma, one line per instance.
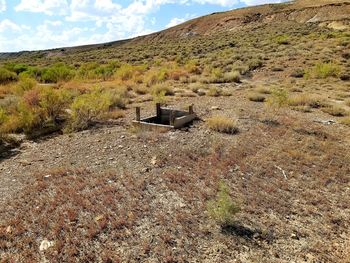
[48, 7]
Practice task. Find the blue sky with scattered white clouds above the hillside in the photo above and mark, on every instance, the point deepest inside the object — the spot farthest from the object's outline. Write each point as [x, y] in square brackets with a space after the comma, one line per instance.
[44, 24]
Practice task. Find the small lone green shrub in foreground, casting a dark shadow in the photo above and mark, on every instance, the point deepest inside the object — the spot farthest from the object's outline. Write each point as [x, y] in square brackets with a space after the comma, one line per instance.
[223, 209]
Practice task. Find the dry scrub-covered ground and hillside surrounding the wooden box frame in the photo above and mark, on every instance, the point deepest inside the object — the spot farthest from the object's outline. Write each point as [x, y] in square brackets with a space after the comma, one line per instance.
[263, 174]
